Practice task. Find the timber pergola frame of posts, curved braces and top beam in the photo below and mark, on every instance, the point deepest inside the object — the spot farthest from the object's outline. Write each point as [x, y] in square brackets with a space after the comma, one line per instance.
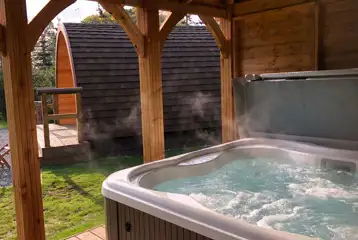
[18, 38]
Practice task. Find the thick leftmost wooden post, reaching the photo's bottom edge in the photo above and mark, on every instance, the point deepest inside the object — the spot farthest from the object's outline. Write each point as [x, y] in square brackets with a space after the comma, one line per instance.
[21, 121]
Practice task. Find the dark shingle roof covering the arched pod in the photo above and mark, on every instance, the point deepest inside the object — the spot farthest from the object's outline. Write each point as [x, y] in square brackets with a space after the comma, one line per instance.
[106, 66]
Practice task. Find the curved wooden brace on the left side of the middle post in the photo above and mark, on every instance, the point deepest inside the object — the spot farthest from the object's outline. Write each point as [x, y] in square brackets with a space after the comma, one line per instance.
[127, 24]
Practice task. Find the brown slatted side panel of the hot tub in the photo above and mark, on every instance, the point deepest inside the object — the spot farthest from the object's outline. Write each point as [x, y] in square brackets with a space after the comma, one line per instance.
[133, 224]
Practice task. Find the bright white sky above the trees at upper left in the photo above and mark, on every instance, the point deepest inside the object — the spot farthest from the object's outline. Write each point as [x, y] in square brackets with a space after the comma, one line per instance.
[75, 13]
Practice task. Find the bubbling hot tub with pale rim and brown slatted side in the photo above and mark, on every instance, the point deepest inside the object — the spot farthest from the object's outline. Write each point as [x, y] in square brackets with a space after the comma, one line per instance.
[135, 210]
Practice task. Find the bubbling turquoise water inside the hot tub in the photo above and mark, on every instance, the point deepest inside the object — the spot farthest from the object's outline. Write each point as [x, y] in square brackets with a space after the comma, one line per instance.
[287, 197]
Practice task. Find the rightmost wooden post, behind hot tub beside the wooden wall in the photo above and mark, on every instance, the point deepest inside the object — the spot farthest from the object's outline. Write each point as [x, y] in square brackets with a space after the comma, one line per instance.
[229, 131]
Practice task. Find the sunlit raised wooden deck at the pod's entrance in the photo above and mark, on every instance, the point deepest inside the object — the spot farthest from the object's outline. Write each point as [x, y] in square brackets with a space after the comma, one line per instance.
[65, 147]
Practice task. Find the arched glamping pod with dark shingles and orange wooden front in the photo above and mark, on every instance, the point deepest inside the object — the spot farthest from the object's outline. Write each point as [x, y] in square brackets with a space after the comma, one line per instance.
[101, 59]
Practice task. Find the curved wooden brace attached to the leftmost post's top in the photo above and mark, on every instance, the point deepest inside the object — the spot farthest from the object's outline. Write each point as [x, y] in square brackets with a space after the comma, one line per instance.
[43, 18]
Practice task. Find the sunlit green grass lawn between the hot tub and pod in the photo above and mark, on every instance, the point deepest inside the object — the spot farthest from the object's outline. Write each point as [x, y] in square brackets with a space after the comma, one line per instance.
[72, 196]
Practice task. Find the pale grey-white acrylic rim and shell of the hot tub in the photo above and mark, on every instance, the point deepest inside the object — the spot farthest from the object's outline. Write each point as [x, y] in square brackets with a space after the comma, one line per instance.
[132, 187]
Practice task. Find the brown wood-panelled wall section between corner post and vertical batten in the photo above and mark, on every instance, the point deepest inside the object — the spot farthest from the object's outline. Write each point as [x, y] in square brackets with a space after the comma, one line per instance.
[276, 40]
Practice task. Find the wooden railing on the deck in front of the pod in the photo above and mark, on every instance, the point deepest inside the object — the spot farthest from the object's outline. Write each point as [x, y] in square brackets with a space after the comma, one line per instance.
[44, 93]
